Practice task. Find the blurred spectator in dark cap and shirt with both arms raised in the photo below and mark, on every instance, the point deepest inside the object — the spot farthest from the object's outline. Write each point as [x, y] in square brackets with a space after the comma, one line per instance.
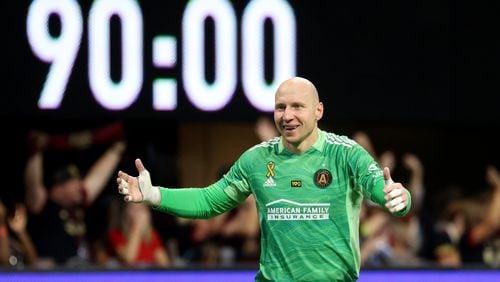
[58, 227]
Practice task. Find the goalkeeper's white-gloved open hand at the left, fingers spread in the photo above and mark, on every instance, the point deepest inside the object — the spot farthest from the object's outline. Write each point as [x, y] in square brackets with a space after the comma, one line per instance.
[138, 189]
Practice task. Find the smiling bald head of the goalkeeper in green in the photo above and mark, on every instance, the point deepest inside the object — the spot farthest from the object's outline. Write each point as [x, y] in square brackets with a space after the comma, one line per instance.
[297, 111]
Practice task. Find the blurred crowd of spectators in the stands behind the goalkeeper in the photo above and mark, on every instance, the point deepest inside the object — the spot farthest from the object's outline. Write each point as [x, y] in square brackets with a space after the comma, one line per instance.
[71, 216]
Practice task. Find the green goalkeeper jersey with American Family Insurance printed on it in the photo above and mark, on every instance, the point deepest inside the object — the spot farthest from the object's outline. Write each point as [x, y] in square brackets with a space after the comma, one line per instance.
[308, 205]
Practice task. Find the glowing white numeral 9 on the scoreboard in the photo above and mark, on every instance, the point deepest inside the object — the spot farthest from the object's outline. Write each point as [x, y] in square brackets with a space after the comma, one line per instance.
[60, 51]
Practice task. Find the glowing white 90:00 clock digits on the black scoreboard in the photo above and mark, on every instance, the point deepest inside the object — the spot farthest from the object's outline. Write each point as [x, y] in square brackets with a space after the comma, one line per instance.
[126, 19]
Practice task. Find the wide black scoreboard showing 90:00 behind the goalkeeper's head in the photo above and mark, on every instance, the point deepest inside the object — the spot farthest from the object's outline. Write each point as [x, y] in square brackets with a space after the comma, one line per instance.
[409, 61]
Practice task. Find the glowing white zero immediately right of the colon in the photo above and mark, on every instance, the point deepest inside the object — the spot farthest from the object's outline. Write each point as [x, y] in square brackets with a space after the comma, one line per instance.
[209, 96]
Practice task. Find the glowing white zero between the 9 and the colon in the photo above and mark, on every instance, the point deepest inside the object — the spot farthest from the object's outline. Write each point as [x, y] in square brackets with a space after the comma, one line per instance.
[119, 95]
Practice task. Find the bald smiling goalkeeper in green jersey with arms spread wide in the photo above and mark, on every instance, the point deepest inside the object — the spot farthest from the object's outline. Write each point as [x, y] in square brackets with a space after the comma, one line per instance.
[308, 185]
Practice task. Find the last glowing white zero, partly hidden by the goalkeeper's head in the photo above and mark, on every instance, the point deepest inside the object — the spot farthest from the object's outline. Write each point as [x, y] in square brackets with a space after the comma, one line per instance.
[258, 91]
